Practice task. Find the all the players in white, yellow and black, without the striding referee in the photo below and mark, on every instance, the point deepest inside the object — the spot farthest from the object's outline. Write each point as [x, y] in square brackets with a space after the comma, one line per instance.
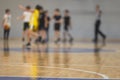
[36, 24]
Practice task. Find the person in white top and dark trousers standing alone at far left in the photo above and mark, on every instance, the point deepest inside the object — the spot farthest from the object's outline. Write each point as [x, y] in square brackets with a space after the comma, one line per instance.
[7, 24]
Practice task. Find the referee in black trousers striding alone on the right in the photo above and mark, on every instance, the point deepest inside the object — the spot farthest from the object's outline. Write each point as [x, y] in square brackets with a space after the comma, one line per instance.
[98, 24]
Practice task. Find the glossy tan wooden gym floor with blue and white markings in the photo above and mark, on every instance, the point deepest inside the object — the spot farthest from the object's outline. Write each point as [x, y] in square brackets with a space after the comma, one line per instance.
[63, 61]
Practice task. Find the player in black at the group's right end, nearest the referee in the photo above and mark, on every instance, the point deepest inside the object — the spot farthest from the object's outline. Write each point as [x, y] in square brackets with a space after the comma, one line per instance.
[67, 26]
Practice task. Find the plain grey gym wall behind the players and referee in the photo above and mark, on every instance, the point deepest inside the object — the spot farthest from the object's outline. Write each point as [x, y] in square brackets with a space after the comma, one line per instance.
[82, 13]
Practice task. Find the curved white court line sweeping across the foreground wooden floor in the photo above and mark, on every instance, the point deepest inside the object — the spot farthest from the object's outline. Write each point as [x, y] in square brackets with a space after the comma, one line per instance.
[71, 69]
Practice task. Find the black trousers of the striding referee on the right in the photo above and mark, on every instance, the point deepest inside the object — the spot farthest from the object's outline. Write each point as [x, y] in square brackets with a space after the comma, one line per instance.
[98, 31]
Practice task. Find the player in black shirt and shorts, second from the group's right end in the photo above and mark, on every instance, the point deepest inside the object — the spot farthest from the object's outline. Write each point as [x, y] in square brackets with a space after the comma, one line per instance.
[58, 20]
